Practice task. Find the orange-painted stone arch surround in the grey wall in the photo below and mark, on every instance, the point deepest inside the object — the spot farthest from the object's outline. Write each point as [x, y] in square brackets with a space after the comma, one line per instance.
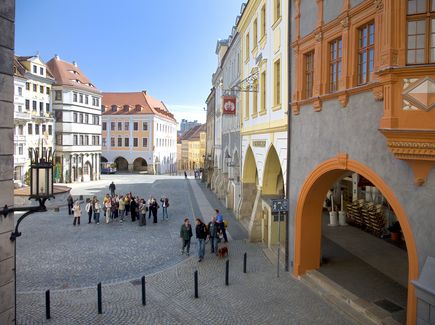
[308, 219]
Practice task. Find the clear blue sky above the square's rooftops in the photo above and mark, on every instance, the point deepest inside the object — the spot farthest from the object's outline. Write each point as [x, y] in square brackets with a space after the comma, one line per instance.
[164, 46]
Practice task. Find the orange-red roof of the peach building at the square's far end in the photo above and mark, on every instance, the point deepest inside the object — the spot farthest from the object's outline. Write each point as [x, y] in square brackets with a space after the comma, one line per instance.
[137, 103]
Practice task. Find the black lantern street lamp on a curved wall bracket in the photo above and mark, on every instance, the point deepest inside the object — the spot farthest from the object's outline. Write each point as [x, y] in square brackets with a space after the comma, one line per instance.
[41, 185]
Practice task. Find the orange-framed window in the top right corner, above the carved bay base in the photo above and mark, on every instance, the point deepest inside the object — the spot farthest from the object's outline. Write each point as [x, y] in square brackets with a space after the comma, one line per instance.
[421, 32]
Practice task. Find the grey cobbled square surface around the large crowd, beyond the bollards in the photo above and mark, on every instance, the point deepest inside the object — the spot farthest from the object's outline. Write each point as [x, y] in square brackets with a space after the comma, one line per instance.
[53, 254]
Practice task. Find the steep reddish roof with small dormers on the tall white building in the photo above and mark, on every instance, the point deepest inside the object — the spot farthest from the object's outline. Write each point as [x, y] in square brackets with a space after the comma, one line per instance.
[69, 74]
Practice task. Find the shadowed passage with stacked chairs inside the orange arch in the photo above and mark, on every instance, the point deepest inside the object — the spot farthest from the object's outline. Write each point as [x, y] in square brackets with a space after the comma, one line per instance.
[361, 255]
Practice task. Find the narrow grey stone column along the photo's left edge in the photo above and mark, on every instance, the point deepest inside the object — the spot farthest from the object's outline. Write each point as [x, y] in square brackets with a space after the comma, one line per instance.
[7, 249]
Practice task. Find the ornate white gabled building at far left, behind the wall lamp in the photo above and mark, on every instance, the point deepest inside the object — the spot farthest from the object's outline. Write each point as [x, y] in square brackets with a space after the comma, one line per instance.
[33, 116]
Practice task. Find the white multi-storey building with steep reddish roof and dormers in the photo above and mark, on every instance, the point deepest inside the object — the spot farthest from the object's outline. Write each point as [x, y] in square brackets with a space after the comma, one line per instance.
[77, 109]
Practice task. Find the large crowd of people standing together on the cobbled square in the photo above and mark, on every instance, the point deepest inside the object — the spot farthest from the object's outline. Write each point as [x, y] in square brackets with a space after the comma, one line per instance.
[118, 207]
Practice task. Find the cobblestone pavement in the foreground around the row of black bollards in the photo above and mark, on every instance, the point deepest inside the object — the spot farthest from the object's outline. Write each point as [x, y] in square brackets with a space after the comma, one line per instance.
[257, 297]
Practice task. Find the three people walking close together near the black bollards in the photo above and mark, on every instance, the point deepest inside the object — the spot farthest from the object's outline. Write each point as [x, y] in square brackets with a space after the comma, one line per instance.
[214, 232]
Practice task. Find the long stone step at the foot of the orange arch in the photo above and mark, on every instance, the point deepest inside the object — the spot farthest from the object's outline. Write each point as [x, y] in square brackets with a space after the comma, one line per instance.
[360, 310]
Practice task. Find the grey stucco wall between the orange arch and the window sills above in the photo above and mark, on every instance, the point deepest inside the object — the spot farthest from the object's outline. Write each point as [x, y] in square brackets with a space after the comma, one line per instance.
[319, 136]
